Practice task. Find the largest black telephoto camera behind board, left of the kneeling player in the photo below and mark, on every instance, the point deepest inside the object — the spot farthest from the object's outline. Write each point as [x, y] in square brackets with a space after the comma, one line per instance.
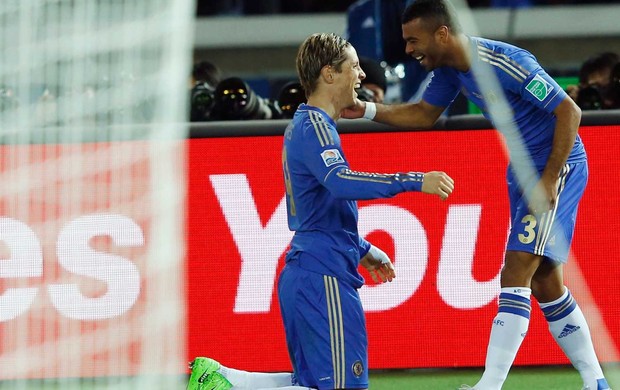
[235, 100]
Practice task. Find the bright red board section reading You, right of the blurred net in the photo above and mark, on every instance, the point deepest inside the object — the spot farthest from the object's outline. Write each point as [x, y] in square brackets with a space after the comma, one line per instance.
[438, 311]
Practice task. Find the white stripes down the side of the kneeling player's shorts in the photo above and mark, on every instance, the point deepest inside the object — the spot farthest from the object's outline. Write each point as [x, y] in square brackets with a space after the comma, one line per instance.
[336, 330]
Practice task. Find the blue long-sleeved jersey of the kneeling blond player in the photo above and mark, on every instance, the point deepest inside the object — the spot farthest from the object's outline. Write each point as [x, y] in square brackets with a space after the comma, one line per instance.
[321, 196]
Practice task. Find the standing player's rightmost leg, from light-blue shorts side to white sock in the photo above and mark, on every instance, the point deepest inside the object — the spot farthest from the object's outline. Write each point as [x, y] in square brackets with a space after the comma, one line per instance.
[566, 321]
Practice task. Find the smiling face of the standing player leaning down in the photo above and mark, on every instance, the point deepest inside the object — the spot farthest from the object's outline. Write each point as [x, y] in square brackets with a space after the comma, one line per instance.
[425, 44]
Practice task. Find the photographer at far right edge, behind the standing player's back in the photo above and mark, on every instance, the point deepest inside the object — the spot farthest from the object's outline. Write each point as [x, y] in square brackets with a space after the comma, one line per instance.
[594, 91]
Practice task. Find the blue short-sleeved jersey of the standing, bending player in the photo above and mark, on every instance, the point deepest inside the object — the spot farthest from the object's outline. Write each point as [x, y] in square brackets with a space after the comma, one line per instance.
[530, 92]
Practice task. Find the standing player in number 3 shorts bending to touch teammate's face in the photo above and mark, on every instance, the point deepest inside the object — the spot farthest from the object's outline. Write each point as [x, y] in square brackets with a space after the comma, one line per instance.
[543, 206]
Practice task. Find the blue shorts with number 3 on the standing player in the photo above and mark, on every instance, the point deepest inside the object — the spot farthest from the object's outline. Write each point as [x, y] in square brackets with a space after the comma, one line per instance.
[551, 233]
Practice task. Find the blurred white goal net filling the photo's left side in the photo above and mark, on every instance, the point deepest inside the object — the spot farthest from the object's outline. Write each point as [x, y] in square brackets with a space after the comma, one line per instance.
[93, 103]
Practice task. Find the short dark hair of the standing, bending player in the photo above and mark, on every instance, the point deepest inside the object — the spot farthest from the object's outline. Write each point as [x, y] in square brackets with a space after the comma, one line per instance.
[436, 13]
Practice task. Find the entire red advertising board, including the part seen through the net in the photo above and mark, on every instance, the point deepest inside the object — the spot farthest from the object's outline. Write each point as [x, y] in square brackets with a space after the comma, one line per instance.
[74, 259]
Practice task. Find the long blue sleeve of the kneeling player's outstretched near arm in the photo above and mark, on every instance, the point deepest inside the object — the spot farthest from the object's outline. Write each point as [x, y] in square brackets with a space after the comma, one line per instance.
[325, 159]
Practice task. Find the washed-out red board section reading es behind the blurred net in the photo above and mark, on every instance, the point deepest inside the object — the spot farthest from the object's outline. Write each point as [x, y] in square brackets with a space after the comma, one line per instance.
[73, 258]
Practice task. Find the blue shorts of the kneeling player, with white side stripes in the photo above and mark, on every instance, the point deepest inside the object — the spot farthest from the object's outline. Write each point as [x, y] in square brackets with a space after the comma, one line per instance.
[325, 329]
